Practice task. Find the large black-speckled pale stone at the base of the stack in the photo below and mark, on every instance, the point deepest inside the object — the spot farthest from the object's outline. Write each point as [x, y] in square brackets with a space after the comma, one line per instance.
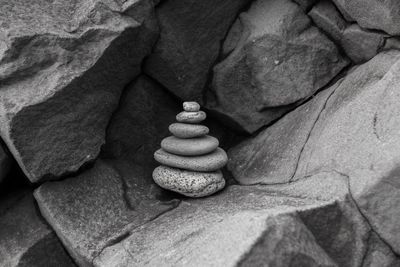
[189, 183]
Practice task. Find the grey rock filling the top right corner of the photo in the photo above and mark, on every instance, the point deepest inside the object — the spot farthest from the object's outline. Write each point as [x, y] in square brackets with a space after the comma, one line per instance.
[373, 14]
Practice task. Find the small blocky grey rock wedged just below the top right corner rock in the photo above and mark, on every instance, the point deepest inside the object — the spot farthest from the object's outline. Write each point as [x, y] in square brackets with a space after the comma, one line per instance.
[361, 45]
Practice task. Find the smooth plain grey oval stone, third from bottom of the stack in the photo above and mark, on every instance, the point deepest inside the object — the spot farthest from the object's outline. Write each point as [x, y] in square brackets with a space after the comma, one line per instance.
[190, 147]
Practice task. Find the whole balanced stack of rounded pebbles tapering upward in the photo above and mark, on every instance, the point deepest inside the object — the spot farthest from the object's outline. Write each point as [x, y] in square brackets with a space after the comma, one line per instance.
[191, 160]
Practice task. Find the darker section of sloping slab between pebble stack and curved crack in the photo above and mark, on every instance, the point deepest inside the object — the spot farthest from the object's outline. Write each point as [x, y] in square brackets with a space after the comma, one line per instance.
[271, 157]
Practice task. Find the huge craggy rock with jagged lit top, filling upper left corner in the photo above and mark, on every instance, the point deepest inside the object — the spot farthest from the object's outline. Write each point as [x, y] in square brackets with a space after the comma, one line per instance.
[62, 68]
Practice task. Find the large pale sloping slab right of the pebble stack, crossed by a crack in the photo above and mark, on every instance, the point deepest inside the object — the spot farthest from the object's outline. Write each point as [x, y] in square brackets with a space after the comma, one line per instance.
[355, 134]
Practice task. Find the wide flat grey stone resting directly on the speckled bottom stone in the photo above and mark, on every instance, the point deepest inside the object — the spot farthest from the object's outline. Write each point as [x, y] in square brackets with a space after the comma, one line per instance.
[210, 162]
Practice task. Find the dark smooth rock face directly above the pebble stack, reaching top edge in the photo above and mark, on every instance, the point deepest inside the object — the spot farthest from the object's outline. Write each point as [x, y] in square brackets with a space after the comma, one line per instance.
[191, 33]
